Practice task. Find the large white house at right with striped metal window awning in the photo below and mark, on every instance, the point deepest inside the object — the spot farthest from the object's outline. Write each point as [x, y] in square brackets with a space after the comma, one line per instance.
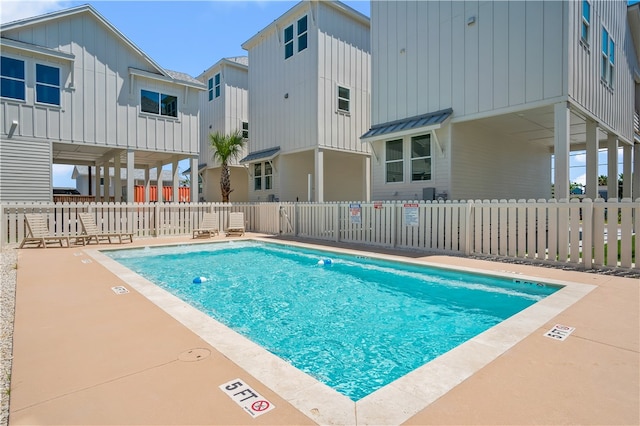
[472, 99]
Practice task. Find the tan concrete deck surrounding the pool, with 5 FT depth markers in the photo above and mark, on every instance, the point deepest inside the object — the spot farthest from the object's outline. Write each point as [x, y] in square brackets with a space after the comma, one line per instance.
[85, 355]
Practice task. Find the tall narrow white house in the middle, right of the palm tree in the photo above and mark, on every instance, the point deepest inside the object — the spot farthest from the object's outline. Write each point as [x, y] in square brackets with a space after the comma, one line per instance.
[309, 104]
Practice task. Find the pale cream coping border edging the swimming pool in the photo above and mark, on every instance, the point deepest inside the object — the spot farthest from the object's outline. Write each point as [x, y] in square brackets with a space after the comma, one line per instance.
[394, 403]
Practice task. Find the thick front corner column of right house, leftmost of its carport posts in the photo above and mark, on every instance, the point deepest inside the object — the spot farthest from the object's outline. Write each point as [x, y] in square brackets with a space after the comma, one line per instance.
[561, 150]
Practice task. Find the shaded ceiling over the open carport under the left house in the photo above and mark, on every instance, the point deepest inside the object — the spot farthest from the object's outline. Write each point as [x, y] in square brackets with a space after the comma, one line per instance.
[88, 155]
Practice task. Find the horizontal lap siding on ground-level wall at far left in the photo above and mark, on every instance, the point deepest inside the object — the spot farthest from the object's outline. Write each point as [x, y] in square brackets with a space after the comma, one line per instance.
[19, 176]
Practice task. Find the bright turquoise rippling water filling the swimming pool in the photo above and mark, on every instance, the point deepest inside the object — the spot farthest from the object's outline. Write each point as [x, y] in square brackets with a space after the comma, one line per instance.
[355, 324]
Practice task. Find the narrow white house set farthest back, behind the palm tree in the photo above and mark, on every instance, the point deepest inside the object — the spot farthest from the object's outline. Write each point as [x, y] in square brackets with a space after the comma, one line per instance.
[224, 108]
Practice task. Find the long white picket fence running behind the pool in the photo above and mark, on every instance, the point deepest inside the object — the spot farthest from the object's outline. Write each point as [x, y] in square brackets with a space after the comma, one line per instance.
[565, 232]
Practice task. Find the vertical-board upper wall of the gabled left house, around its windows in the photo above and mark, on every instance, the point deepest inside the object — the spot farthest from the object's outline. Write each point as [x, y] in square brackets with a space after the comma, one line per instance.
[98, 104]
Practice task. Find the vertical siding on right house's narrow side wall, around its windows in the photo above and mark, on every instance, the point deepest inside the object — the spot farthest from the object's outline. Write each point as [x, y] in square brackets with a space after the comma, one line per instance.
[612, 106]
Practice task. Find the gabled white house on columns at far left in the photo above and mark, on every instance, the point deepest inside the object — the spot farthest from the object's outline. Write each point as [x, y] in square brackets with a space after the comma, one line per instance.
[76, 91]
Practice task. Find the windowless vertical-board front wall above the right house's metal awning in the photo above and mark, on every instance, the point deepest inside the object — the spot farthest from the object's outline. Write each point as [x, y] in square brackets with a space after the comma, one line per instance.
[474, 57]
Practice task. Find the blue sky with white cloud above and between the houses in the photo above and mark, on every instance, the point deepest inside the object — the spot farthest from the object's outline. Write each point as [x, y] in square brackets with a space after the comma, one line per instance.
[190, 36]
